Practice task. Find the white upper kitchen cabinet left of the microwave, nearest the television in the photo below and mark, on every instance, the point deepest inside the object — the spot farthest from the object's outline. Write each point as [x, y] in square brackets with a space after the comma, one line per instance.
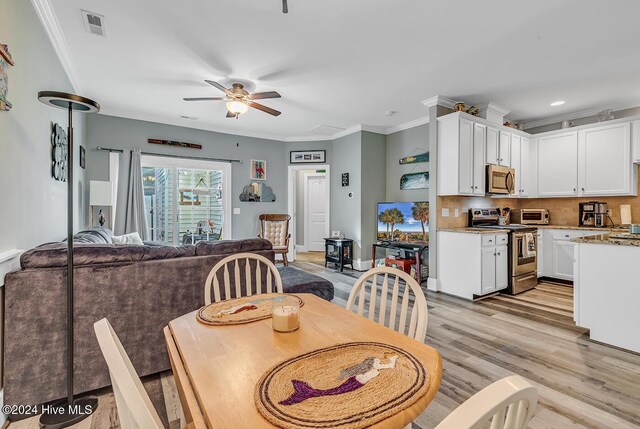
[461, 152]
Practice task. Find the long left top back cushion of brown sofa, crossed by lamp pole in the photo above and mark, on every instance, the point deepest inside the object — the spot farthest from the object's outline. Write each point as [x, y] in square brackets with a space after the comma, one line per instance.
[55, 254]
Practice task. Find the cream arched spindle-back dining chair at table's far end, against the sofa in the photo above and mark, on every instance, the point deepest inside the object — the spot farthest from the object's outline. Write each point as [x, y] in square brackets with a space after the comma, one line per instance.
[270, 272]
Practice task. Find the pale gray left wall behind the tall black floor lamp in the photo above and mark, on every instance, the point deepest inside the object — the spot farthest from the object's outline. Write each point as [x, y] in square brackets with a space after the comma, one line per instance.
[34, 206]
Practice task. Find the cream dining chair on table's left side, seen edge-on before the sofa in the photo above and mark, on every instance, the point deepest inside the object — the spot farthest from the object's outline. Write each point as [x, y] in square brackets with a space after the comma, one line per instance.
[135, 409]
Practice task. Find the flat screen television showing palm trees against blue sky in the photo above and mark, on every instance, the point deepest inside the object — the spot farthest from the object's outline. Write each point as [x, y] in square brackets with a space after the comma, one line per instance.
[408, 222]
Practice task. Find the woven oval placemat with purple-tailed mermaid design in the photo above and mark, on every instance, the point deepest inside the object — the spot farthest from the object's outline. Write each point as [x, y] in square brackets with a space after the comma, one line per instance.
[347, 386]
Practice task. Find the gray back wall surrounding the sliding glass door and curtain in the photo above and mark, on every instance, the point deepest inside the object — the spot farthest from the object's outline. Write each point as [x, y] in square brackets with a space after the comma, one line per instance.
[127, 134]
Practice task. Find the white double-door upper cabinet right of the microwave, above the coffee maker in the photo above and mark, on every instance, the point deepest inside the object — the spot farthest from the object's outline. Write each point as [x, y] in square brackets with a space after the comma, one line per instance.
[591, 161]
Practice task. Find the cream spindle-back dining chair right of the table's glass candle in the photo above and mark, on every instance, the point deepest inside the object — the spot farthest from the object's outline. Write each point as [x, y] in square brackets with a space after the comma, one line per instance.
[383, 281]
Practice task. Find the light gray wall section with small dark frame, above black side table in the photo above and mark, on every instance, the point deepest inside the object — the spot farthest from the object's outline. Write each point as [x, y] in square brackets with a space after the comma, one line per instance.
[345, 210]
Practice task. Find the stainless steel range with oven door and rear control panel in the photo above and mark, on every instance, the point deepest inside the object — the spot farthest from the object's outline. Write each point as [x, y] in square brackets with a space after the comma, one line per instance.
[522, 247]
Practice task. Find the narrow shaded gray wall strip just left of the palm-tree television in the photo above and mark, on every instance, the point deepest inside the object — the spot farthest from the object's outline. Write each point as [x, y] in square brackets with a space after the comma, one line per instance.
[373, 187]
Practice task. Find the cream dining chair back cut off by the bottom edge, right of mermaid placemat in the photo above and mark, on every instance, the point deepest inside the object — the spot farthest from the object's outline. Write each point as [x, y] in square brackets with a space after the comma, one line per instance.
[508, 404]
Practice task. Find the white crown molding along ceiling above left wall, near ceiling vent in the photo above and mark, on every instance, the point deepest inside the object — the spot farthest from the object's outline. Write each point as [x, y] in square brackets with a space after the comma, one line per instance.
[49, 21]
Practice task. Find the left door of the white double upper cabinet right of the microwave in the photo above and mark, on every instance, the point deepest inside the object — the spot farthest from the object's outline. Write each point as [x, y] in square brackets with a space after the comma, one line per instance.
[558, 165]
